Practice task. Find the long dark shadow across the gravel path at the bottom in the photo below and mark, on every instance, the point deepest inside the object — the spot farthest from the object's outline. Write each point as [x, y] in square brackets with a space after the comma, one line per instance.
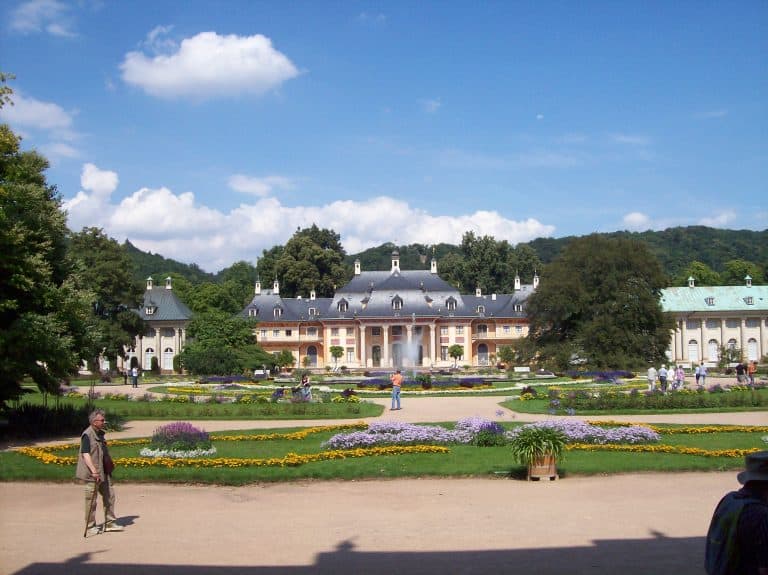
[659, 555]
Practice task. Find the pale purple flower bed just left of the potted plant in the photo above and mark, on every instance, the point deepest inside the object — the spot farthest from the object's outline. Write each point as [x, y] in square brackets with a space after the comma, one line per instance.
[401, 433]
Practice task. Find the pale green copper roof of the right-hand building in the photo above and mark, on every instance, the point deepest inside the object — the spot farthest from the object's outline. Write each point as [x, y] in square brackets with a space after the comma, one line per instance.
[715, 298]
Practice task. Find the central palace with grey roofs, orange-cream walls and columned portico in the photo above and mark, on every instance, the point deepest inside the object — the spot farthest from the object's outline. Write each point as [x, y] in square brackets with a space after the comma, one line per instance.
[389, 319]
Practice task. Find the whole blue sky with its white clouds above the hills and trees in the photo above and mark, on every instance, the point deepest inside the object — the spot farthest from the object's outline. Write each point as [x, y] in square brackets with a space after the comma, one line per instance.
[209, 131]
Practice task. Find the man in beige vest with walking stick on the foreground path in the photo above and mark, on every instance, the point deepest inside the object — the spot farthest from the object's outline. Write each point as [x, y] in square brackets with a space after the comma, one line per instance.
[94, 466]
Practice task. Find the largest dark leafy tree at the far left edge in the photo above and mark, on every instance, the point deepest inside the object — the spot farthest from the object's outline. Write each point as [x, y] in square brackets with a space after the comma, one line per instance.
[44, 317]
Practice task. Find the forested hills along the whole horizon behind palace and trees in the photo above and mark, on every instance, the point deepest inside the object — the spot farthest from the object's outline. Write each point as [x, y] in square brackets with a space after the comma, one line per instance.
[676, 248]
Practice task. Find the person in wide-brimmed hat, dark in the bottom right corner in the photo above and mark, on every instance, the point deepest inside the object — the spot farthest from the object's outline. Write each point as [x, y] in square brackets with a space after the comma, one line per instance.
[737, 540]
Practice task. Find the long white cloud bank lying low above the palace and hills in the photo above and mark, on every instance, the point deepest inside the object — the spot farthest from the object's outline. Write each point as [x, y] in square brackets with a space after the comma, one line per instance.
[179, 227]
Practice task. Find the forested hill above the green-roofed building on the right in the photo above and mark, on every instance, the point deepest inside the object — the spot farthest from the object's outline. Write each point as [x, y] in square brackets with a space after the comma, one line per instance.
[678, 247]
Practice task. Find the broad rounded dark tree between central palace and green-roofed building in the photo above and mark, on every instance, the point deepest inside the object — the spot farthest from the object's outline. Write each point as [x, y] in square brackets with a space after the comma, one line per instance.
[599, 304]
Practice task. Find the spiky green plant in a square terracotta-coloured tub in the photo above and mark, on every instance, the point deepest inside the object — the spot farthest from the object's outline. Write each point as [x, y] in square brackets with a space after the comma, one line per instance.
[538, 448]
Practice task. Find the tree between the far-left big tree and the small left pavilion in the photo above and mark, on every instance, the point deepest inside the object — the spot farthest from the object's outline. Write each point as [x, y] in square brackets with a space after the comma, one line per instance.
[105, 269]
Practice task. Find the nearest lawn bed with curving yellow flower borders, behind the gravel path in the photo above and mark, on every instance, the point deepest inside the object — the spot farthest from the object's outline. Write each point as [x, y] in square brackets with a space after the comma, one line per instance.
[311, 453]
